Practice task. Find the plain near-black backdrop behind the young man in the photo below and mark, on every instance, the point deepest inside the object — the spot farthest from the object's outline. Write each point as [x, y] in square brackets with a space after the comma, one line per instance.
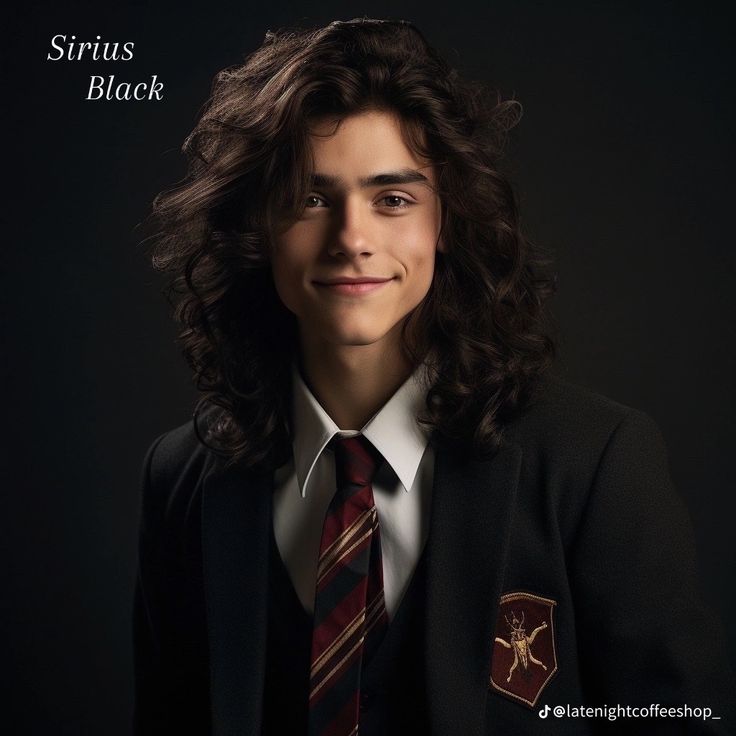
[623, 165]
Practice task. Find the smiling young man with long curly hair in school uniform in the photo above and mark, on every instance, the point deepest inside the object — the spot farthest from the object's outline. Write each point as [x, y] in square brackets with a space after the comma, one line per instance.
[385, 519]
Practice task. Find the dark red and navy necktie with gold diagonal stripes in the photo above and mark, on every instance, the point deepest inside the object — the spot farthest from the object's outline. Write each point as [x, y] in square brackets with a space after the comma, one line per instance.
[349, 609]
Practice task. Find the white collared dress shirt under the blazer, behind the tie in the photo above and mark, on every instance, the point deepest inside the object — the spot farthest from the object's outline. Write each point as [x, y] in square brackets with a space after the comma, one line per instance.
[402, 487]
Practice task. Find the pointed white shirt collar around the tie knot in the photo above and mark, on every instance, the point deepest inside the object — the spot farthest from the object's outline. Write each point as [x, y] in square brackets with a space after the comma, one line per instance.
[393, 430]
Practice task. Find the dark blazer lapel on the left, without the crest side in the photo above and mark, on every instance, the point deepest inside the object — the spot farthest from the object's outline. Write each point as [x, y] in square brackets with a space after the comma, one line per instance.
[236, 517]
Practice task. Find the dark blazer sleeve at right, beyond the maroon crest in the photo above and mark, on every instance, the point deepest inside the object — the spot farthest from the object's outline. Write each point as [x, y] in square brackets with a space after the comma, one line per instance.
[645, 637]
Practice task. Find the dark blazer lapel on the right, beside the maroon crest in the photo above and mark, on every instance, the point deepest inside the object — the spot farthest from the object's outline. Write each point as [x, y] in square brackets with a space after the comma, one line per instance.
[472, 508]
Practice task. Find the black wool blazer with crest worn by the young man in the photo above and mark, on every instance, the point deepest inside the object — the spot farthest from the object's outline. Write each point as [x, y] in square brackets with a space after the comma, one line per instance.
[576, 509]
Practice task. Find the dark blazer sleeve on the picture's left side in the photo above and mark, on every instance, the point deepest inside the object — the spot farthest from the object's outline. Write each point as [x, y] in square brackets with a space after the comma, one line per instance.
[168, 644]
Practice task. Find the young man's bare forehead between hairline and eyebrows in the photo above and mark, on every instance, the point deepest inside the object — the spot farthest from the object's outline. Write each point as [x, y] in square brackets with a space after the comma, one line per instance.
[363, 144]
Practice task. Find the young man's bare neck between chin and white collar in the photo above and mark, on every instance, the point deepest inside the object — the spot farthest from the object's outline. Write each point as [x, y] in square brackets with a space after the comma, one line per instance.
[352, 382]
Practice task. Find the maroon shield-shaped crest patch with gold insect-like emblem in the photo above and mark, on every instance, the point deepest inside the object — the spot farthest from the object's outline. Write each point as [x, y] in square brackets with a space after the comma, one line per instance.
[524, 658]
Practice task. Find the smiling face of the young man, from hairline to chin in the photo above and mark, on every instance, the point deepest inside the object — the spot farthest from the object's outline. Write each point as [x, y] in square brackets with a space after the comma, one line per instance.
[362, 255]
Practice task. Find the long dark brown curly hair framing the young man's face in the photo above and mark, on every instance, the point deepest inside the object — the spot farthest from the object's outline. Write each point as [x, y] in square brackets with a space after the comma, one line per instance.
[483, 320]
